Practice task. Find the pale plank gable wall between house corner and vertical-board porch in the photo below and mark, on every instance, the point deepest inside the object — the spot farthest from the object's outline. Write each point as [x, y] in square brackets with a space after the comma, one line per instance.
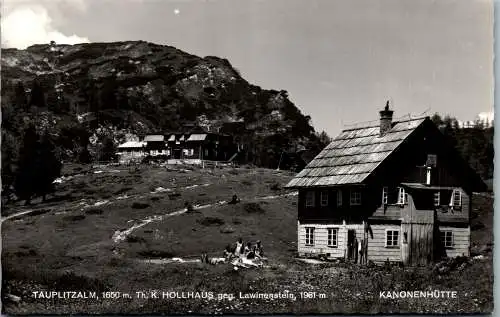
[377, 251]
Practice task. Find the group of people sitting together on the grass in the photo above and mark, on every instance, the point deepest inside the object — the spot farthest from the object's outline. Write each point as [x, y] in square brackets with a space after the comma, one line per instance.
[244, 255]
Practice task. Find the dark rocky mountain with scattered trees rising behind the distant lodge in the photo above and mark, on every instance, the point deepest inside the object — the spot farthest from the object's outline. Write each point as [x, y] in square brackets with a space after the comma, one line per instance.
[84, 93]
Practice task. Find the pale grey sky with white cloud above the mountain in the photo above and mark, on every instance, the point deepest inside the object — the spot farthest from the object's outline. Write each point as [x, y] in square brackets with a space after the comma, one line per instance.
[340, 60]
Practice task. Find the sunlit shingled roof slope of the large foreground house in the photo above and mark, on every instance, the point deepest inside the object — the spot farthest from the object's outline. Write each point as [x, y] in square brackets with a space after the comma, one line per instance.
[353, 155]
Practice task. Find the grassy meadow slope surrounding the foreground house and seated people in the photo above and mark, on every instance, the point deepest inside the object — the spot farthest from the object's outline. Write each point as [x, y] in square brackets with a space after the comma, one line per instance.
[70, 243]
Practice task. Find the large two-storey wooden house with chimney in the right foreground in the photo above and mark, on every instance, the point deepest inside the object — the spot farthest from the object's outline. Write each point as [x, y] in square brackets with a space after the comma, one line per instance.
[395, 191]
